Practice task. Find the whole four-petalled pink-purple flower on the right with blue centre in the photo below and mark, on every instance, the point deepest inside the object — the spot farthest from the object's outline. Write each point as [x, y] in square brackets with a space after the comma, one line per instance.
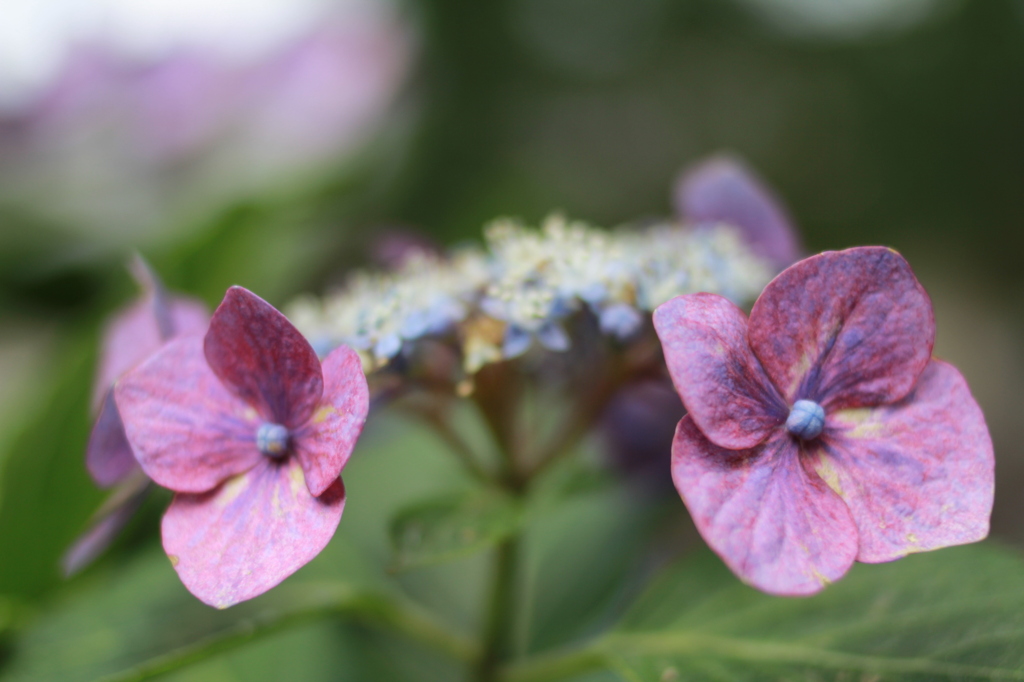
[821, 431]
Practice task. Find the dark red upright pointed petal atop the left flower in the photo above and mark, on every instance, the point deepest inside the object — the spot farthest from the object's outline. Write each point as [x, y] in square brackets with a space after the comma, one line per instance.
[264, 359]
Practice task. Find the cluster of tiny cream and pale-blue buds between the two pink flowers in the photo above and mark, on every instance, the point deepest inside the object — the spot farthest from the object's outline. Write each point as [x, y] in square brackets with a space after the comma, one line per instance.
[519, 290]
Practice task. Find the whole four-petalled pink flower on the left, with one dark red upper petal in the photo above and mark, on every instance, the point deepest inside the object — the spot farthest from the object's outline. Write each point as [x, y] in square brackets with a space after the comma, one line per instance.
[252, 433]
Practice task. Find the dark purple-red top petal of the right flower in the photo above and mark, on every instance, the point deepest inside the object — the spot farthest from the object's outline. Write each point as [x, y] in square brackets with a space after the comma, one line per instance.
[845, 329]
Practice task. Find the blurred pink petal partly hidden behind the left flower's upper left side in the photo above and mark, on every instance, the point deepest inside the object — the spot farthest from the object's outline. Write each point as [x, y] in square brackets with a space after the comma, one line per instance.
[138, 332]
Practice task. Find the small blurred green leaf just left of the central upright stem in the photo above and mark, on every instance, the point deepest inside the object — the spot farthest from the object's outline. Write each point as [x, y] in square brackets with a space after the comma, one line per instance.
[453, 526]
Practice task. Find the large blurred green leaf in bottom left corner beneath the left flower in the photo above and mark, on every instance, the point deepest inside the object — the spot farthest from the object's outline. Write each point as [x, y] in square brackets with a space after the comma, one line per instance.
[140, 621]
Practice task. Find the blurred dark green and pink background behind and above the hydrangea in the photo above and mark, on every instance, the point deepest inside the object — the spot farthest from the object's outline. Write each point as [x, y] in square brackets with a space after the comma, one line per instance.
[268, 143]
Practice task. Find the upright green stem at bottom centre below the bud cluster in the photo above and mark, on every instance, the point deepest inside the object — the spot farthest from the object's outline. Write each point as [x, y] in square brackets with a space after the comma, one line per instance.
[501, 610]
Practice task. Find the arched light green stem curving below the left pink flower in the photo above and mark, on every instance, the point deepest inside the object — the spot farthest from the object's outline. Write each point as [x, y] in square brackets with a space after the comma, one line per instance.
[322, 602]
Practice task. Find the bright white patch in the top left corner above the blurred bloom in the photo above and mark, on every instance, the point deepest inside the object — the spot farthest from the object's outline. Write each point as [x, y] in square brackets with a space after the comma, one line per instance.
[35, 35]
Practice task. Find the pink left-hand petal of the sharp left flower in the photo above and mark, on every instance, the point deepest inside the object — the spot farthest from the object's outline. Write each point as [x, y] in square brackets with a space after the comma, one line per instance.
[189, 433]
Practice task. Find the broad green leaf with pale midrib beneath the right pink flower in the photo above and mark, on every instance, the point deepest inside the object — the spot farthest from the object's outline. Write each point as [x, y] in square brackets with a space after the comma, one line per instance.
[953, 615]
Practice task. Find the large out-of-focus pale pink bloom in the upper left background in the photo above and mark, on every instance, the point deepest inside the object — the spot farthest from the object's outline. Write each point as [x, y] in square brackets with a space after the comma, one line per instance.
[194, 130]
